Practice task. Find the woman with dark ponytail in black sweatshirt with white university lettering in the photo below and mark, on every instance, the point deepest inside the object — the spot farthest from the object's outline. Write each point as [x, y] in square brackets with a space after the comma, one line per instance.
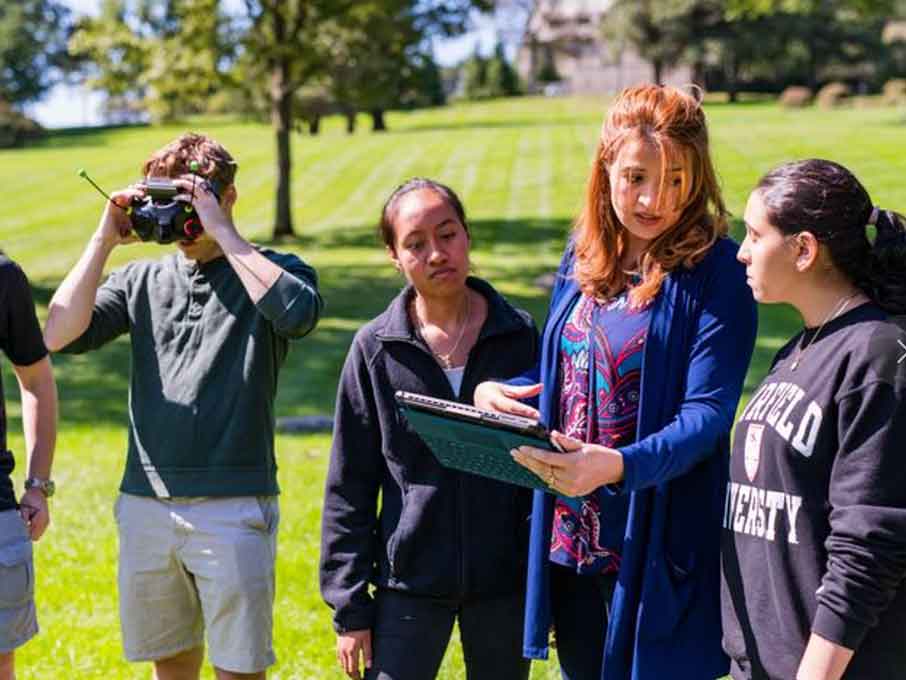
[814, 544]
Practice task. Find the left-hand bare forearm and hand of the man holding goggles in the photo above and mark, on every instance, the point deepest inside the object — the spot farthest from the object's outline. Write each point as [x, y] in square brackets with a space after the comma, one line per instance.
[70, 309]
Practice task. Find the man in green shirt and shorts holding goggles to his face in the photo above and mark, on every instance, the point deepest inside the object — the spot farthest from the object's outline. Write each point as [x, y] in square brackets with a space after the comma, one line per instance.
[209, 328]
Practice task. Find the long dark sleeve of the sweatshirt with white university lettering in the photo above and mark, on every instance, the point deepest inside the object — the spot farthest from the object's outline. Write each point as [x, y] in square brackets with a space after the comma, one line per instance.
[866, 548]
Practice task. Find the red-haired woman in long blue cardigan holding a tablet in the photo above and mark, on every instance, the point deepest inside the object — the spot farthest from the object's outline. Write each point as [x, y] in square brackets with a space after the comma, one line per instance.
[648, 337]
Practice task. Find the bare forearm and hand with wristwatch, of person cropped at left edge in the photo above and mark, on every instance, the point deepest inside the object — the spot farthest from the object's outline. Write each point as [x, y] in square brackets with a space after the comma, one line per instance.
[39, 424]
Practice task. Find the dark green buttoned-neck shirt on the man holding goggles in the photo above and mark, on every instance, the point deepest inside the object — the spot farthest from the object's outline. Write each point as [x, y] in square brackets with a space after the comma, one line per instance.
[205, 361]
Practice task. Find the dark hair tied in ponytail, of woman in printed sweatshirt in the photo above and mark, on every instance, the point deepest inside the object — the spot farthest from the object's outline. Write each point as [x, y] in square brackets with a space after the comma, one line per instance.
[867, 245]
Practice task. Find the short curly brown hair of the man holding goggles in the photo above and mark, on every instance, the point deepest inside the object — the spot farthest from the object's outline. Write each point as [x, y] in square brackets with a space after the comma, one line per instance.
[174, 159]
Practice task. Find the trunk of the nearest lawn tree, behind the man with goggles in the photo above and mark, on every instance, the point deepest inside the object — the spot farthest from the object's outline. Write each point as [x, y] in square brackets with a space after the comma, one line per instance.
[282, 120]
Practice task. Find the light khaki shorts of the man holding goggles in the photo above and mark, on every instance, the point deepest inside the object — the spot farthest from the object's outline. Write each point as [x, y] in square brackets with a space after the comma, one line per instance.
[190, 565]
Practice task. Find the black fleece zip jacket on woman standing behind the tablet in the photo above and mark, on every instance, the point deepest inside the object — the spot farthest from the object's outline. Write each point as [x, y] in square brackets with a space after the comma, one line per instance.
[438, 532]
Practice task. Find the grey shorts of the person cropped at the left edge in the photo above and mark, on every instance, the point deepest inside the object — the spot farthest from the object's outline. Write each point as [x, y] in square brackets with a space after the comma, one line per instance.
[18, 623]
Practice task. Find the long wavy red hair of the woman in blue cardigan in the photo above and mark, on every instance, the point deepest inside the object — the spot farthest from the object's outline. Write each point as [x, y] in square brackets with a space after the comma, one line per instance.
[674, 122]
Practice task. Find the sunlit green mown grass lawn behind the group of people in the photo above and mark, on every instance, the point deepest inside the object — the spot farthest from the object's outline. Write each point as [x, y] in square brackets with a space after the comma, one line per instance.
[519, 166]
